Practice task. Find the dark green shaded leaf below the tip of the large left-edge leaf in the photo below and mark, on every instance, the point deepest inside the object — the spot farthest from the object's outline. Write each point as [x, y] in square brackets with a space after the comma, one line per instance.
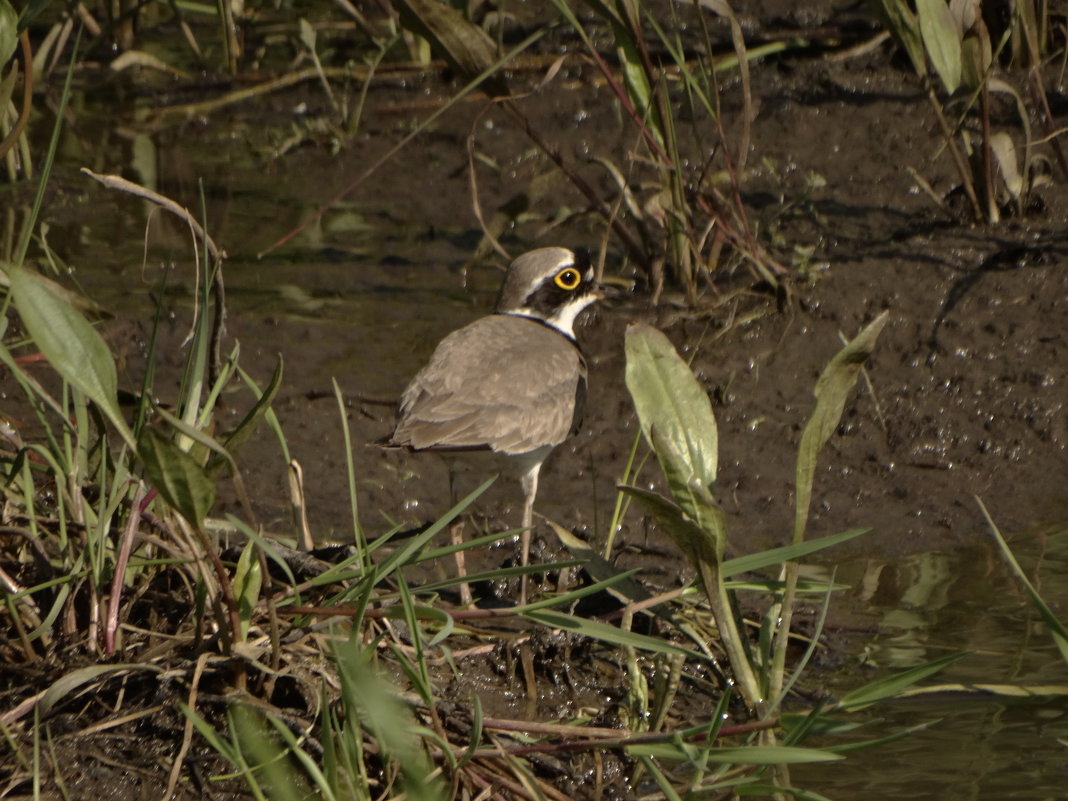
[177, 476]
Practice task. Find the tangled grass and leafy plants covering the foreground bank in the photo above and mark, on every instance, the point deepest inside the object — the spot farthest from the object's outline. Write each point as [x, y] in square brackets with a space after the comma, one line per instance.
[324, 678]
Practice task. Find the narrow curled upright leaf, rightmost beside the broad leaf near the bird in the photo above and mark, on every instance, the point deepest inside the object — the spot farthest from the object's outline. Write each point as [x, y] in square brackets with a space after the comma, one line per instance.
[833, 389]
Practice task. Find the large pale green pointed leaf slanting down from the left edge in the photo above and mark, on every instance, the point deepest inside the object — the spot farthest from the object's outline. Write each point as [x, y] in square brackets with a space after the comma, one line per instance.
[71, 344]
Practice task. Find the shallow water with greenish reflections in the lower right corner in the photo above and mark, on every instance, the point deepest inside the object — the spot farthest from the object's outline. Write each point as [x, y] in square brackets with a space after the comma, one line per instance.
[981, 745]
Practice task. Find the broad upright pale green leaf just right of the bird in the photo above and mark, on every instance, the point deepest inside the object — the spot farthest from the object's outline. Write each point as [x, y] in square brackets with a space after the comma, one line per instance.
[668, 397]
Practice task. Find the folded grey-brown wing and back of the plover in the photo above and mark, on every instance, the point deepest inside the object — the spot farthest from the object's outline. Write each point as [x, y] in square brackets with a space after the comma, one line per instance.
[505, 383]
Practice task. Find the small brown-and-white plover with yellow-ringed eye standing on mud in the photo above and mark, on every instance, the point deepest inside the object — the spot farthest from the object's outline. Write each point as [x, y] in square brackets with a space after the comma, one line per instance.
[513, 383]
